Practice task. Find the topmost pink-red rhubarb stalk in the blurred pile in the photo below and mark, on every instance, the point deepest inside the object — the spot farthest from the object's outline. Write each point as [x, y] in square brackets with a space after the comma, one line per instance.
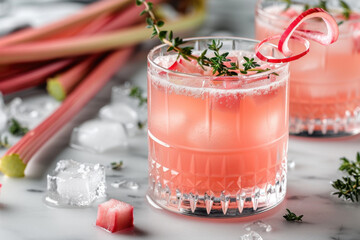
[82, 17]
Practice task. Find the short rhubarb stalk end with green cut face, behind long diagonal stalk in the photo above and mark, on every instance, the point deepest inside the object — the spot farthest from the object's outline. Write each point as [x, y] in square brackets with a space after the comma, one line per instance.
[59, 87]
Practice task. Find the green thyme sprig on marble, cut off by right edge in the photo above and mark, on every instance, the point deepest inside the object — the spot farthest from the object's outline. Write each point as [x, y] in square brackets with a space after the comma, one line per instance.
[349, 186]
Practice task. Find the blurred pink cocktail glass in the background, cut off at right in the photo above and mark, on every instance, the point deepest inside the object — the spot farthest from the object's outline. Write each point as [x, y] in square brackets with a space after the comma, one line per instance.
[325, 84]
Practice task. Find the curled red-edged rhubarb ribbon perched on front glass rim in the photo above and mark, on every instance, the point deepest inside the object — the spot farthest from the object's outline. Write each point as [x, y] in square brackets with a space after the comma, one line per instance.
[330, 37]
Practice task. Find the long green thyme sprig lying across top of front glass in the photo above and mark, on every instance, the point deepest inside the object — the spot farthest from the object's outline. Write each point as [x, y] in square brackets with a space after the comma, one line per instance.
[216, 63]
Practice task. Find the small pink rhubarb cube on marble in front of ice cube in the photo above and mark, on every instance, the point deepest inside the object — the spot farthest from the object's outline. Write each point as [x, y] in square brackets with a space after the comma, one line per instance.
[115, 216]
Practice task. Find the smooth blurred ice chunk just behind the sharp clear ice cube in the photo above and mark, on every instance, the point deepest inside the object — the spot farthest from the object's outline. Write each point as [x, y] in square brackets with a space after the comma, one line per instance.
[98, 136]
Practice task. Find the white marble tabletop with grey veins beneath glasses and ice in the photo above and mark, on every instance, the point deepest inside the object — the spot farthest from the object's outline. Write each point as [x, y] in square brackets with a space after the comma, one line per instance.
[23, 215]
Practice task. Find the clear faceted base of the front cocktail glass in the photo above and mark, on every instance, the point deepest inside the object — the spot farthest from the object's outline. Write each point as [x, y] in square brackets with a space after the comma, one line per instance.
[246, 203]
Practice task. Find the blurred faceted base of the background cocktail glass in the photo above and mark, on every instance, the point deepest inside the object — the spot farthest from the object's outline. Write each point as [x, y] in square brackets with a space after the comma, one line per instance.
[326, 127]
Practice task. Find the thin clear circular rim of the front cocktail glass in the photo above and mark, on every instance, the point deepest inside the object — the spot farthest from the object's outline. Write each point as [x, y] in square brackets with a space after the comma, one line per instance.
[281, 66]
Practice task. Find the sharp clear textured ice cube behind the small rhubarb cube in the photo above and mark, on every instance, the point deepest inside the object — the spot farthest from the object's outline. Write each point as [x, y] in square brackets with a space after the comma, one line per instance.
[75, 184]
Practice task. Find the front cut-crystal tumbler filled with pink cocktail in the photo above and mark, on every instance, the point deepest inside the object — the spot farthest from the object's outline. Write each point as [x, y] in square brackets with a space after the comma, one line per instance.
[217, 145]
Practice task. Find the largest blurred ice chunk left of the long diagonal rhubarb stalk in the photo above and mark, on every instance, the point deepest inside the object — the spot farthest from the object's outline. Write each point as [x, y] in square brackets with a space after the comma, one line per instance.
[31, 114]
